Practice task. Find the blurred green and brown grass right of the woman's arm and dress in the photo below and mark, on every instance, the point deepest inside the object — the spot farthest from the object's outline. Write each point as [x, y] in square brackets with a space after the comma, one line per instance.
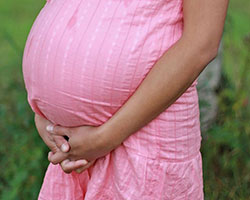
[226, 156]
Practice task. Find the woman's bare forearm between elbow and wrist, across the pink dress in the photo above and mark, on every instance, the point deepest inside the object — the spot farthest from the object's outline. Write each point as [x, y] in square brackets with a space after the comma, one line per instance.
[174, 72]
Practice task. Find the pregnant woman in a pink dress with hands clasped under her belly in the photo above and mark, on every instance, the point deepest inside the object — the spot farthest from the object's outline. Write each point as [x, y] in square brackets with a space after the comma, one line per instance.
[117, 80]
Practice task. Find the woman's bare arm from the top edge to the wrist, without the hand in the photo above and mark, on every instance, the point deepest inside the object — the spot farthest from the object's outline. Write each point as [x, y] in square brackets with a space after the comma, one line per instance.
[175, 70]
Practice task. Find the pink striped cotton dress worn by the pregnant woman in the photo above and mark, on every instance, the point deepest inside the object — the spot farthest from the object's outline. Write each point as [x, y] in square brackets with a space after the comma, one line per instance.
[82, 60]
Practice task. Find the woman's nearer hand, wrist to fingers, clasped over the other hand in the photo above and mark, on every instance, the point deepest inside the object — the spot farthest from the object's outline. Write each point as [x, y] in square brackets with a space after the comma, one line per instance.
[86, 142]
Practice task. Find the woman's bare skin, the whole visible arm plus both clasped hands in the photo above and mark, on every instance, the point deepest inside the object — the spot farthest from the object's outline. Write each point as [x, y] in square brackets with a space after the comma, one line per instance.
[174, 72]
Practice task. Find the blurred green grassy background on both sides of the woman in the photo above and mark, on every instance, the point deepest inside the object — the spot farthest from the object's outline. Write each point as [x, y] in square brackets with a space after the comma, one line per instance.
[225, 146]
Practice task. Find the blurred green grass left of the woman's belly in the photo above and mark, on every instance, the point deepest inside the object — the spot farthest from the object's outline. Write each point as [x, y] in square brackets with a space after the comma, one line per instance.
[22, 154]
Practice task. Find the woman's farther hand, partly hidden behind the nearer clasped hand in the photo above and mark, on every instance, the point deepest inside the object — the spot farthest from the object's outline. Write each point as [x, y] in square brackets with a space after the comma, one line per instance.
[58, 143]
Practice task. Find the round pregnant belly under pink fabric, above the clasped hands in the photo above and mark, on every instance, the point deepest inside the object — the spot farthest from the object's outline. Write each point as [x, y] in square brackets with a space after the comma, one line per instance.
[83, 61]
